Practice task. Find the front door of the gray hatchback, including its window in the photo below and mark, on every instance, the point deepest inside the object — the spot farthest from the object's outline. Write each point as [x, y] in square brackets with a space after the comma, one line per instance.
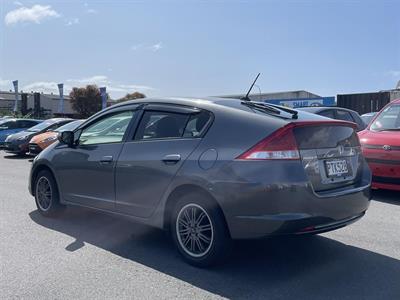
[85, 173]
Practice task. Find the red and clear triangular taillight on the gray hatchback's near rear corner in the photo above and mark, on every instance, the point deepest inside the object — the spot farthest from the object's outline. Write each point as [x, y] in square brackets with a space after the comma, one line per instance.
[279, 145]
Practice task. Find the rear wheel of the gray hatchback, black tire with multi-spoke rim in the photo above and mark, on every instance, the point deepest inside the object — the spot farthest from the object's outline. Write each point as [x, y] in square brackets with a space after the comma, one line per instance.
[219, 248]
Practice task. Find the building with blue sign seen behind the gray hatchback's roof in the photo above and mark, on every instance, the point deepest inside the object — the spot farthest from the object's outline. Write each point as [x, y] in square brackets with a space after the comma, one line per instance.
[299, 98]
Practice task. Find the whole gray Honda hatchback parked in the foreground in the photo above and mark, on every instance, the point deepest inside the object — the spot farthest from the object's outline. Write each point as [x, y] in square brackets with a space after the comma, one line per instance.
[208, 170]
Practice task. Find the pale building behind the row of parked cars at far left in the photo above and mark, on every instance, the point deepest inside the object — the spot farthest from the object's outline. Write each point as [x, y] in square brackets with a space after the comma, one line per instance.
[35, 104]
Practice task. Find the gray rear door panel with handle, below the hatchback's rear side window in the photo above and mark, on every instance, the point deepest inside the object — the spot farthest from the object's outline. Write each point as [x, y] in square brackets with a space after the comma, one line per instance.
[144, 171]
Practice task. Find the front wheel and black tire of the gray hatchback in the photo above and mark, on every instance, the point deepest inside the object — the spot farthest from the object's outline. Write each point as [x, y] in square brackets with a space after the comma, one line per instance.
[47, 206]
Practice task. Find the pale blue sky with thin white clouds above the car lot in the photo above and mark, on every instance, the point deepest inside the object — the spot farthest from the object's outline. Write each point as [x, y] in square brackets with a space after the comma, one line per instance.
[200, 48]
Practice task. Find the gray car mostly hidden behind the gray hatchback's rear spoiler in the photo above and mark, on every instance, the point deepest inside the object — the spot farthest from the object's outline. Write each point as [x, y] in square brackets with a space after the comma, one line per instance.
[338, 113]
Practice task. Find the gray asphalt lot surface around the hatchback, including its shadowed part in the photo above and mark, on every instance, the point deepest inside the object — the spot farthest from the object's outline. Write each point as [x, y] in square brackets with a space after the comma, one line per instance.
[91, 255]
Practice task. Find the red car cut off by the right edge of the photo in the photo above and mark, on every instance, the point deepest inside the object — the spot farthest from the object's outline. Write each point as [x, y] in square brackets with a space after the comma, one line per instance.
[380, 143]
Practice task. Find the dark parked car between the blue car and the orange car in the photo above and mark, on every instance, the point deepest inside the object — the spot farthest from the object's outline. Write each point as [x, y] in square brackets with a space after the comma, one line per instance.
[18, 143]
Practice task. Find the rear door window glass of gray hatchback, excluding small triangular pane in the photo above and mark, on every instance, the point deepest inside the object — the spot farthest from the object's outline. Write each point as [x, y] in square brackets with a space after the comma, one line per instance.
[161, 125]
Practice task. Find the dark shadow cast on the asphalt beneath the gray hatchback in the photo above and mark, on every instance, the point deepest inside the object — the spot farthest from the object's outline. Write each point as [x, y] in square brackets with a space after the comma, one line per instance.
[298, 267]
